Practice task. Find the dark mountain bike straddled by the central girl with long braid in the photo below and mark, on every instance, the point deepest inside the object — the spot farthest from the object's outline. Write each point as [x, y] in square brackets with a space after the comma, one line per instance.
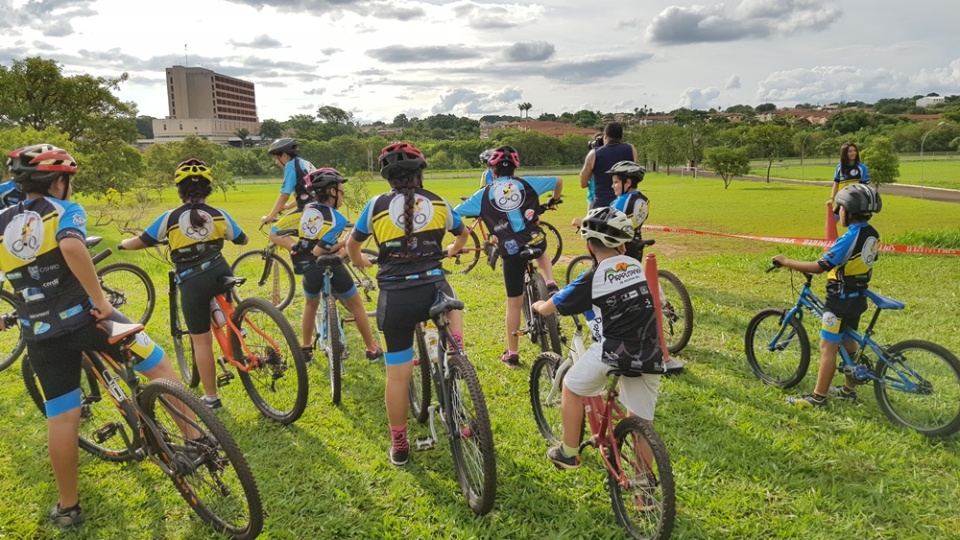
[461, 406]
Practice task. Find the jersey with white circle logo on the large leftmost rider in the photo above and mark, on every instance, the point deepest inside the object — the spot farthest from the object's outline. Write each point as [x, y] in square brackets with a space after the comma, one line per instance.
[54, 302]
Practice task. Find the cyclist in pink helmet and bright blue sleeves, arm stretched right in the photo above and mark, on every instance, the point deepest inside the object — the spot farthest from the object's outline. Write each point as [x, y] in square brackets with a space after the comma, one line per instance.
[509, 208]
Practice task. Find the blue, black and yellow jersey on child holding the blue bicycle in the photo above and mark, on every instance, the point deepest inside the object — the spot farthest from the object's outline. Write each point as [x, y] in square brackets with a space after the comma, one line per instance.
[850, 261]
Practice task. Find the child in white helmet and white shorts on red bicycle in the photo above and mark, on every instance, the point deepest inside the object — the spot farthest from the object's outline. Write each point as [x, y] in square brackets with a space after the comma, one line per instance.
[616, 298]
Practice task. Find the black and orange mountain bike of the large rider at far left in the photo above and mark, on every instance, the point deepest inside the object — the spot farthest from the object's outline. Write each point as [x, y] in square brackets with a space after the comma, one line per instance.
[165, 423]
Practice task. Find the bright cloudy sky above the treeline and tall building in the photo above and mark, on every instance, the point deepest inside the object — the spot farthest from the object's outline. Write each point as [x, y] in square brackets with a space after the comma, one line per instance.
[379, 58]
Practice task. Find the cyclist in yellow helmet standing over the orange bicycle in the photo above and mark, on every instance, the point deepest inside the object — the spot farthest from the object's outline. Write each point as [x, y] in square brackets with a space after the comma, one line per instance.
[195, 232]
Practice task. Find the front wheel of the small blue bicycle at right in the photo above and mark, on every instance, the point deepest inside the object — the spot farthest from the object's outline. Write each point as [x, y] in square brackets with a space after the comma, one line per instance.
[778, 351]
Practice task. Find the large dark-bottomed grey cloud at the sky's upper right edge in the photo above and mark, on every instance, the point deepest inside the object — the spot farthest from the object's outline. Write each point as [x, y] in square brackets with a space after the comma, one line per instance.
[752, 19]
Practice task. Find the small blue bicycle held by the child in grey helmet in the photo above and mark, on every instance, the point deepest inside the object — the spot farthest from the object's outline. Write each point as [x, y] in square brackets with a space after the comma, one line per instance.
[916, 383]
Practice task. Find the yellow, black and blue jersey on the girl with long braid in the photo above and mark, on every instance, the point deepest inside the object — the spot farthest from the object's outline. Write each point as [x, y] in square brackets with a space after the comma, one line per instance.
[383, 216]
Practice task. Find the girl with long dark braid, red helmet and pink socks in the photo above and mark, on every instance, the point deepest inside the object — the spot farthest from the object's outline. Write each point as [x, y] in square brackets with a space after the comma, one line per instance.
[409, 224]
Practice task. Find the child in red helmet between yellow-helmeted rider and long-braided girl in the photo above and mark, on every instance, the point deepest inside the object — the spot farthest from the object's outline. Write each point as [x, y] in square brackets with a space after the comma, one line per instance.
[318, 231]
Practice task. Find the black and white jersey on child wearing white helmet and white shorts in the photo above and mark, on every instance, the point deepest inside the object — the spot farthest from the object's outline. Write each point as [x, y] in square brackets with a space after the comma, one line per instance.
[619, 305]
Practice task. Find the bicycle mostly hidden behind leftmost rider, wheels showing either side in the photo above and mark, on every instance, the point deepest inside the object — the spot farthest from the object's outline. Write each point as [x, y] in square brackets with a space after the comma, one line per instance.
[124, 285]
